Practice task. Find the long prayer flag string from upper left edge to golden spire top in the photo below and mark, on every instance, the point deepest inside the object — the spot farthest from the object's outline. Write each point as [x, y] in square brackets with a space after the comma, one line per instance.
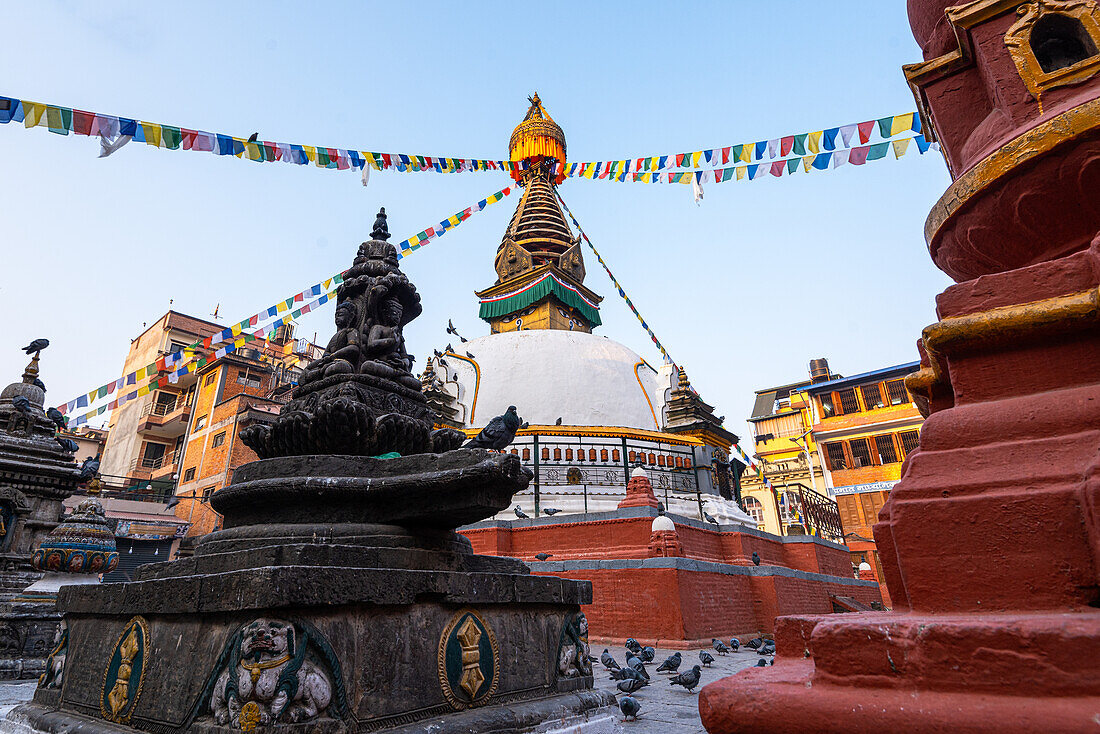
[64, 120]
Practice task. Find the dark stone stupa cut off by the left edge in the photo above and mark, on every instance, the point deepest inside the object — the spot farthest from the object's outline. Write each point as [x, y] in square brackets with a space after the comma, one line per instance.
[37, 475]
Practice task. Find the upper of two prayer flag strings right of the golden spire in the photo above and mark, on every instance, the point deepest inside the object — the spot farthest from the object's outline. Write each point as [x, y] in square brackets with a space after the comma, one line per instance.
[805, 145]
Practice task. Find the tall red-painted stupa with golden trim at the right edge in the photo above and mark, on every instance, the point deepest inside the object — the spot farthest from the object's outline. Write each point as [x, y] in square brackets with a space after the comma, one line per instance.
[992, 541]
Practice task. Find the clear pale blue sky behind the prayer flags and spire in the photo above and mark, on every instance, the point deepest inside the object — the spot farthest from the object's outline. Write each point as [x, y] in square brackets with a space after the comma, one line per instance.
[743, 290]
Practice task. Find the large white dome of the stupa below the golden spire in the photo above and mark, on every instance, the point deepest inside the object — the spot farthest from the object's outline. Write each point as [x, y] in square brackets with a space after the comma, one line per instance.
[584, 379]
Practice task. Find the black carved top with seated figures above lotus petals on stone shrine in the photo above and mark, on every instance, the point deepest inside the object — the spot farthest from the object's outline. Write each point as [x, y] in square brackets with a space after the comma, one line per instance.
[361, 399]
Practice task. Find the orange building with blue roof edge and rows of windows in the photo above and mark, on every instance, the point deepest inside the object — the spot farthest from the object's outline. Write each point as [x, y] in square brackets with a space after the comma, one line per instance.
[864, 429]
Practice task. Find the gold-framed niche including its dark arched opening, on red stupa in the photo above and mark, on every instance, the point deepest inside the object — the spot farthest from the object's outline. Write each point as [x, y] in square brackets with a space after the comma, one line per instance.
[1055, 43]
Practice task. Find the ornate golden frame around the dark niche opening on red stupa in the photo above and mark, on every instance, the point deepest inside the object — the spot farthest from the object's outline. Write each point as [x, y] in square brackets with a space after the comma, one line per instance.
[1019, 42]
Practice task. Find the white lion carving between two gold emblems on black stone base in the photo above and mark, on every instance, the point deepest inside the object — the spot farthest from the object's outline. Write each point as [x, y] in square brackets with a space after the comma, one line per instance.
[274, 671]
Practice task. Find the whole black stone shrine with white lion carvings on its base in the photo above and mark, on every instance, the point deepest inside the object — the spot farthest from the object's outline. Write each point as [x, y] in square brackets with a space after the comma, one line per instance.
[338, 597]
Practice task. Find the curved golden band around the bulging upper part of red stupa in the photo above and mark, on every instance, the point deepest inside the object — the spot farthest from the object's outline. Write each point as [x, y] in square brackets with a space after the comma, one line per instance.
[1040, 140]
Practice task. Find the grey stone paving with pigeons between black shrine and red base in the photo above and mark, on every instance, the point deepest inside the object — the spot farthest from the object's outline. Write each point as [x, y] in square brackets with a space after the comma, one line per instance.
[668, 709]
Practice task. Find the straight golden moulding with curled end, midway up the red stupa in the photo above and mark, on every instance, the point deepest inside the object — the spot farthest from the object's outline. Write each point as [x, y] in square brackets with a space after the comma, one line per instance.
[998, 326]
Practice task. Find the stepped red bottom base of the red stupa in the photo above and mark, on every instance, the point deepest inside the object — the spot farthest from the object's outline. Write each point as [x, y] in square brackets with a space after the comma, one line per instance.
[919, 674]
